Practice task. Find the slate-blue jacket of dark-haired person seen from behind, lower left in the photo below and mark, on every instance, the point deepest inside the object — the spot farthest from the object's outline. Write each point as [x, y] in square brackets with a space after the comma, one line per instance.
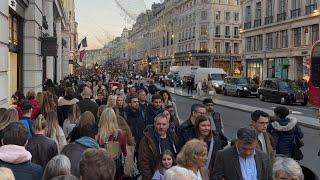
[74, 152]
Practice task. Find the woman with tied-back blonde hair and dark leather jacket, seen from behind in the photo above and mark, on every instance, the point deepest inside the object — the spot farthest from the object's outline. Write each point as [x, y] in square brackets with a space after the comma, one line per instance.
[41, 147]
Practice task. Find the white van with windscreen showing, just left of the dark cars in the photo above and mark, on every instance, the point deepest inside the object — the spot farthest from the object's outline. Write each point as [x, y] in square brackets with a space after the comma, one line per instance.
[215, 76]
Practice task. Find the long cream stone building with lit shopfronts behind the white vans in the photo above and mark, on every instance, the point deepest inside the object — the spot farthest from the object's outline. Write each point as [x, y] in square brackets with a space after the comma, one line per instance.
[188, 32]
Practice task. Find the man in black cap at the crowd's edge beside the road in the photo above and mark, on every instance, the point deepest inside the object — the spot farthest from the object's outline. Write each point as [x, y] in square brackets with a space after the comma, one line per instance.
[215, 117]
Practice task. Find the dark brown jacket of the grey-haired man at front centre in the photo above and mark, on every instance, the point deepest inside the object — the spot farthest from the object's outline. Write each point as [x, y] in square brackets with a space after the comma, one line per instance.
[149, 151]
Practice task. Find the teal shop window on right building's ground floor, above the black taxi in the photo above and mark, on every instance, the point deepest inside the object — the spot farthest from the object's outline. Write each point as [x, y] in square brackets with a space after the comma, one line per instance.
[278, 68]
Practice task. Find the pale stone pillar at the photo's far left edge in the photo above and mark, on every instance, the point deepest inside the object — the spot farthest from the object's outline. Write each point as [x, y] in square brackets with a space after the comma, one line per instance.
[4, 39]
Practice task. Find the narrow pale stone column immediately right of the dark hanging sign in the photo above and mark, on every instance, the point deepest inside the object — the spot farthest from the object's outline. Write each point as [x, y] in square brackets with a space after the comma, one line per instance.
[59, 51]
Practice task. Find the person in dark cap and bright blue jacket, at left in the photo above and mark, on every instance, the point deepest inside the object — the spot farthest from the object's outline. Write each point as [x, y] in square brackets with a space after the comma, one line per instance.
[25, 120]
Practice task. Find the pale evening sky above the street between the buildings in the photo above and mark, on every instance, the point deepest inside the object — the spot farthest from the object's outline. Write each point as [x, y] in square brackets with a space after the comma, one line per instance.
[102, 20]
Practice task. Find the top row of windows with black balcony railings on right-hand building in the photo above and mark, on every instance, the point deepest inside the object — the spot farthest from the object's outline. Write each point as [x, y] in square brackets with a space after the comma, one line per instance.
[281, 15]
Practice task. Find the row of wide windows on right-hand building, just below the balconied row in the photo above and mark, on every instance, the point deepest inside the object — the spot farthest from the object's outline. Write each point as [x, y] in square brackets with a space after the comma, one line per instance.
[279, 39]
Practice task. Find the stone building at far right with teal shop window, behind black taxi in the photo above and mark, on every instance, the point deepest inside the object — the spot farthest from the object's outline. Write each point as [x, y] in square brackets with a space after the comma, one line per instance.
[278, 36]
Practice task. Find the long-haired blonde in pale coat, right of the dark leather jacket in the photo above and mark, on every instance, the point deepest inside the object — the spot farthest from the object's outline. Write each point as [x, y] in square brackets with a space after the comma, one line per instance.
[55, 132]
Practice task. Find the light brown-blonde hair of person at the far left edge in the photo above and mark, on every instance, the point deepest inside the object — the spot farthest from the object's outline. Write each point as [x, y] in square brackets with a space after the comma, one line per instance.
[9, 116]
